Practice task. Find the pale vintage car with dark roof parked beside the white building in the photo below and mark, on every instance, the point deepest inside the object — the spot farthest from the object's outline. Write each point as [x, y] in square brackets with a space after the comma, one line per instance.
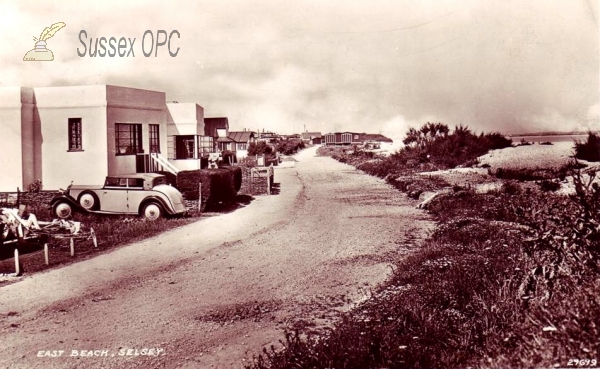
[146, 194]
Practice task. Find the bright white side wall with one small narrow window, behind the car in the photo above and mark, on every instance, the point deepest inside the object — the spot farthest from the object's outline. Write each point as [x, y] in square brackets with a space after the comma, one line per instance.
[55, 106]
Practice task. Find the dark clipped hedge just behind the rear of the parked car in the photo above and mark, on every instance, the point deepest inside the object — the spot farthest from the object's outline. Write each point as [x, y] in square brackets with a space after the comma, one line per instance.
[218, 185]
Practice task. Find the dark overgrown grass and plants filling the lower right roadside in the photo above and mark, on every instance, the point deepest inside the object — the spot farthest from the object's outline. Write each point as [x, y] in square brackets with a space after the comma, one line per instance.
[508, 279]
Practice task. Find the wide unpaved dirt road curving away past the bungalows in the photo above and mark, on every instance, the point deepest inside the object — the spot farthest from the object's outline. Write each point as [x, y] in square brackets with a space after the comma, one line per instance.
[213, 293]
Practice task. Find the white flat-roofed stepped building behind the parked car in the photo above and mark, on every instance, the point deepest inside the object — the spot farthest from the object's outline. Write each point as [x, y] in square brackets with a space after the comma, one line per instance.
[83, 133]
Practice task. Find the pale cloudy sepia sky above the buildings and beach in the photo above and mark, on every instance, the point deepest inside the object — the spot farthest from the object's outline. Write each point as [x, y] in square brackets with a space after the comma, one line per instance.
[366, 66]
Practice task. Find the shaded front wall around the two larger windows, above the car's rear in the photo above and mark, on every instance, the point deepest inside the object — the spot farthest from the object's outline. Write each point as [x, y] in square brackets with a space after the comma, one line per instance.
[130, 105]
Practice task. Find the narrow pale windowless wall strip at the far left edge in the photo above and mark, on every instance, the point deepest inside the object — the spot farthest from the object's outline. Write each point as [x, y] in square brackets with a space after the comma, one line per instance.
[11, 161]
